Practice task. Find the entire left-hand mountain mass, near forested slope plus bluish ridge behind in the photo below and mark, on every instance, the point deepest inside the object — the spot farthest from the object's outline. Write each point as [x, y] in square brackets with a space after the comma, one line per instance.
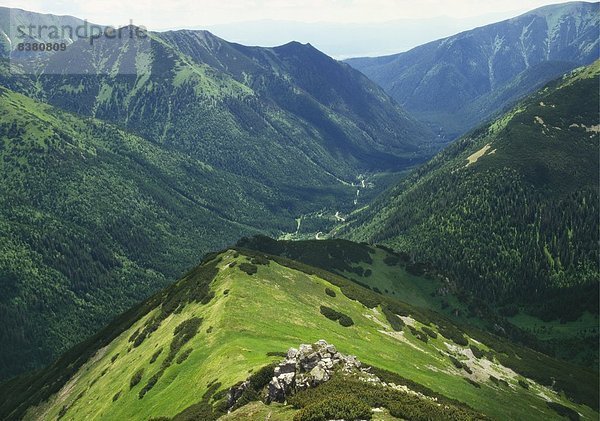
[126, 160]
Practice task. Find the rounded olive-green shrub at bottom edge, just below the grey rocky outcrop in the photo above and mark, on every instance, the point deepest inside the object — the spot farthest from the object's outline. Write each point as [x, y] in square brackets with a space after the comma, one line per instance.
[335, 408]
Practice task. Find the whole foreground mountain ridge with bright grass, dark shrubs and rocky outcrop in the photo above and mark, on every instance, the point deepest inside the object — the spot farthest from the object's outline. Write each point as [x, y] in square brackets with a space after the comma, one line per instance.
[184, 353]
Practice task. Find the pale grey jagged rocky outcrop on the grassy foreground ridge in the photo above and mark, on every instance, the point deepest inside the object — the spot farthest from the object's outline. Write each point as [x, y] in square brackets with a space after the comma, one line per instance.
[308, 366]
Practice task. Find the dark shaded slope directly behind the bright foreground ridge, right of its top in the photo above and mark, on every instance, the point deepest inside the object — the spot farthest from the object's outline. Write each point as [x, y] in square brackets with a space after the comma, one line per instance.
[396, 276]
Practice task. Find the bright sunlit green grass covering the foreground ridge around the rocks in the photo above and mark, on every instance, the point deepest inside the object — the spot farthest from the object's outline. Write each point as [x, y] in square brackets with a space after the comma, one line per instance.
[245, 324]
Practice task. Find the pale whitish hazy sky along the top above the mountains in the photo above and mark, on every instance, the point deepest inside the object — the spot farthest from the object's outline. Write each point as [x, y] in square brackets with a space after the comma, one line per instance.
[160, 14]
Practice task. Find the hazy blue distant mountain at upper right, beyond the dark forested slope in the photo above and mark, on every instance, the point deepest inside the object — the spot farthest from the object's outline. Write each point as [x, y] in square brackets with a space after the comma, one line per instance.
[456, 83]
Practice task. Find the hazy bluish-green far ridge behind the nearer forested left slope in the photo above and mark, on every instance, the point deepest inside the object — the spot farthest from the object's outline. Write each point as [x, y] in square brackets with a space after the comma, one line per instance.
[294, 101]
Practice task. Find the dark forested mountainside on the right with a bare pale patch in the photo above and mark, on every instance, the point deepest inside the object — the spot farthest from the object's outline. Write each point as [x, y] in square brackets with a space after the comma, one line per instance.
[509, 211]
